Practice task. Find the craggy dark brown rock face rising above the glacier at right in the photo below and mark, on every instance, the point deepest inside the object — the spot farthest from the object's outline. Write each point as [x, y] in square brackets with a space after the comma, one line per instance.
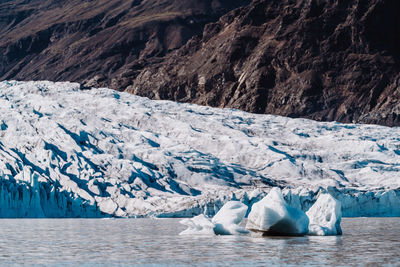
[319, 59]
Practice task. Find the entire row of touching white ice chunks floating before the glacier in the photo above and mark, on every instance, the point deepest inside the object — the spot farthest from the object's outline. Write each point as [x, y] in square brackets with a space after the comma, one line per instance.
[271, 216]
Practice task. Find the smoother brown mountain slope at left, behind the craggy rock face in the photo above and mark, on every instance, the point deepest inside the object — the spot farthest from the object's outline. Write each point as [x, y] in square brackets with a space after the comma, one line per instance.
[97, 42]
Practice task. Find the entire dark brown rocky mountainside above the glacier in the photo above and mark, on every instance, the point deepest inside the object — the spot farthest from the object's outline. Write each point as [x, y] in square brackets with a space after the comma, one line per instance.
[319, 59]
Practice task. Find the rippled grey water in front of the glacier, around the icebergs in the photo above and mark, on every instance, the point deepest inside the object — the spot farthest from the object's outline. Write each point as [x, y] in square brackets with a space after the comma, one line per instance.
[127, 242]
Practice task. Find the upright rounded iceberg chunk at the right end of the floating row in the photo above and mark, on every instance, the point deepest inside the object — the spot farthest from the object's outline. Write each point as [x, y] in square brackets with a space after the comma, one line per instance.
[325, 216]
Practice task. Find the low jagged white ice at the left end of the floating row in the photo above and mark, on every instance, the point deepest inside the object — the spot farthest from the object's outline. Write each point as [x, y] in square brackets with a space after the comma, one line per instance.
[225, 222]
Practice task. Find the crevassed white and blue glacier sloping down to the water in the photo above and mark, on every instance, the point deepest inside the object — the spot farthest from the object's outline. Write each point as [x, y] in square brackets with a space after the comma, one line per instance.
[69, 152]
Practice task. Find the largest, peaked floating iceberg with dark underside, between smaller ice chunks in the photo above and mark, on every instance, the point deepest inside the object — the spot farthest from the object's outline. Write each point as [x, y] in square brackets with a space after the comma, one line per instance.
[272, 215]
